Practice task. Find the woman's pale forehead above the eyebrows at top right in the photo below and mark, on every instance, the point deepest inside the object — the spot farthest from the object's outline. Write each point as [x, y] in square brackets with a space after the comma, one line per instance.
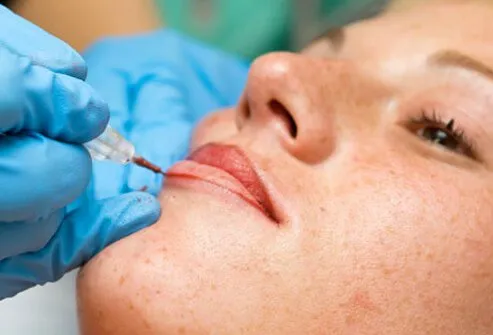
[398, 44]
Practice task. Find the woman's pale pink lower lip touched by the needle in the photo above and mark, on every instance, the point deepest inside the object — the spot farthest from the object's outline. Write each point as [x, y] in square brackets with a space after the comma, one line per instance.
[211, 176]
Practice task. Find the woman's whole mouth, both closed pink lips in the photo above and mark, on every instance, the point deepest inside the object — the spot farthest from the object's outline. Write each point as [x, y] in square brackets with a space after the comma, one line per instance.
[226, 166]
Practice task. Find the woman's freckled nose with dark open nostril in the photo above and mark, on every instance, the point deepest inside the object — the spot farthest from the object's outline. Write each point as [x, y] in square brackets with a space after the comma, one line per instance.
[284, 96]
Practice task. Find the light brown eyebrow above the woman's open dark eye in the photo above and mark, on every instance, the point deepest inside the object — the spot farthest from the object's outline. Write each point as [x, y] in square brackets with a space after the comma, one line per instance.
[458, 59]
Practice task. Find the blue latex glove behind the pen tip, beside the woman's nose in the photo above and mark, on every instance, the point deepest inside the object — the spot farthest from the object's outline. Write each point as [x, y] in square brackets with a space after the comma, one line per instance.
[158, 86]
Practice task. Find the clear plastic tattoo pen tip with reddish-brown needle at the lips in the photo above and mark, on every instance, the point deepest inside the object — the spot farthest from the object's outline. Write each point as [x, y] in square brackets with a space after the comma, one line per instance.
[112, 146]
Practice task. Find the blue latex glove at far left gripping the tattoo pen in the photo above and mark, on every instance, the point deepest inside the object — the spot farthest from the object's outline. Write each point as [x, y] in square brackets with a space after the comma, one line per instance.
[46, 112]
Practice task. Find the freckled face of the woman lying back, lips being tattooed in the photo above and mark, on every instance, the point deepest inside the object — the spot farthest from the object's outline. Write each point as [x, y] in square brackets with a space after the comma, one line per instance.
[368, 209]
